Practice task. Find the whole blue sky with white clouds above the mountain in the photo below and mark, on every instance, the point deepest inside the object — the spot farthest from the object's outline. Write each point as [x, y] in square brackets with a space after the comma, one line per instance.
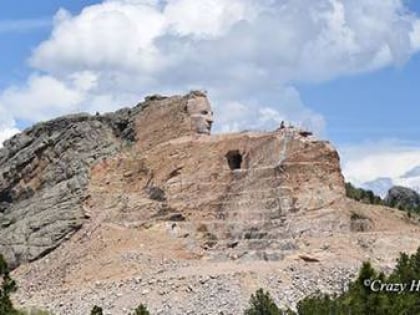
[346, 69]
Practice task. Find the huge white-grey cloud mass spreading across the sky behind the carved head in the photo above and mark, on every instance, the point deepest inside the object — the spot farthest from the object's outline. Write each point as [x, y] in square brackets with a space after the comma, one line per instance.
[248, 54]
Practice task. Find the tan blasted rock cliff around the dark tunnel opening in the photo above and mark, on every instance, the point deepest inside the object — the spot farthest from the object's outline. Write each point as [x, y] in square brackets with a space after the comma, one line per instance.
[233, 194]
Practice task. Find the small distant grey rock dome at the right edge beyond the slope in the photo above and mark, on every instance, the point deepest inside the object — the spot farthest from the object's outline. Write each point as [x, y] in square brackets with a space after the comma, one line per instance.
[403, 198]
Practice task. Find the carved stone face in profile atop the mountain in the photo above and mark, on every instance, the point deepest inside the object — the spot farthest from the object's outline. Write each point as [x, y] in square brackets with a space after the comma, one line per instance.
[201, 114]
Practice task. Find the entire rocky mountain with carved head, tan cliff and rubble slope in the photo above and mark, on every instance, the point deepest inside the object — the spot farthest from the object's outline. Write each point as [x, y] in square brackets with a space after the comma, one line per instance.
[145, 205]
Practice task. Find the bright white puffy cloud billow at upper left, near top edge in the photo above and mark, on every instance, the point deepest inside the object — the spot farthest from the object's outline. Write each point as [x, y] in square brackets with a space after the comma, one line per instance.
[106, 37]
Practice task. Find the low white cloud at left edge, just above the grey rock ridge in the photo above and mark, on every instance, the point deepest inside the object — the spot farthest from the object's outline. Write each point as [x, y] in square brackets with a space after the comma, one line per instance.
[45, 97]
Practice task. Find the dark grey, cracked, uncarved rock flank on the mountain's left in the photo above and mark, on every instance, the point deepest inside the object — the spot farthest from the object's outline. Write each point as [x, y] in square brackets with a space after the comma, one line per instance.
[43, 175]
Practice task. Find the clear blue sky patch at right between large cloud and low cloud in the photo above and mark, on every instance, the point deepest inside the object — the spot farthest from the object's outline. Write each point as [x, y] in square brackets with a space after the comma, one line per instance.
[382, 104]
